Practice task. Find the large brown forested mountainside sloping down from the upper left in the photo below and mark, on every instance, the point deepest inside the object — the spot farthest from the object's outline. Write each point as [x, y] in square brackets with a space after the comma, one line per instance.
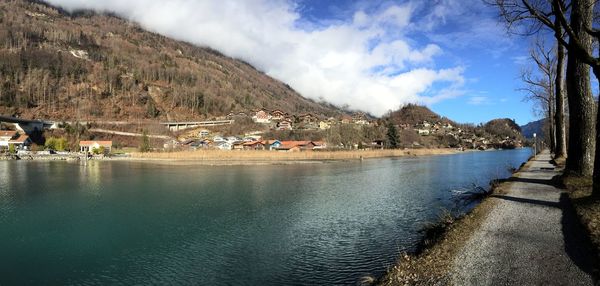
[86, 66]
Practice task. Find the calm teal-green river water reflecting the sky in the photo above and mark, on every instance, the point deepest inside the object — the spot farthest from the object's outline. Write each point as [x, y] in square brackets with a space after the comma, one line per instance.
[137, 223]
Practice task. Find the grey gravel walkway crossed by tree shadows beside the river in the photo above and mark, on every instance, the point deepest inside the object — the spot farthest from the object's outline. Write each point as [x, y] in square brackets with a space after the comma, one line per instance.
[529, 238]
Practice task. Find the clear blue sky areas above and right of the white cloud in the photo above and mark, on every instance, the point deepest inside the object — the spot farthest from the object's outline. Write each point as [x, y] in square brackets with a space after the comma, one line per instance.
[491, 72]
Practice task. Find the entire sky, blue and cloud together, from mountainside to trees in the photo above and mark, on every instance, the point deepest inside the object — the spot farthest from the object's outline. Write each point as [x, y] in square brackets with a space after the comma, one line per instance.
[452, 55]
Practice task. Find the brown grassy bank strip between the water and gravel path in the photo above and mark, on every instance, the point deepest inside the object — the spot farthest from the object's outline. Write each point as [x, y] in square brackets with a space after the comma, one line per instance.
[432, 262]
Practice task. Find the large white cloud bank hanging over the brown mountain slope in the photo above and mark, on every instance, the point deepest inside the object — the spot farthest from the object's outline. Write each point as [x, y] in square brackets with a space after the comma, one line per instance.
[367, 63]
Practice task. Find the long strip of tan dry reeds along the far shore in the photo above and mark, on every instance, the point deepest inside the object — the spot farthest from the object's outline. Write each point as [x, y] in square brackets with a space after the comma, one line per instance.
[235, 155]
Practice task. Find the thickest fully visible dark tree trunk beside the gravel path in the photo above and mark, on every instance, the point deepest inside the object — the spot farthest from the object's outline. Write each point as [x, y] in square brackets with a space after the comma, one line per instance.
[580, 156]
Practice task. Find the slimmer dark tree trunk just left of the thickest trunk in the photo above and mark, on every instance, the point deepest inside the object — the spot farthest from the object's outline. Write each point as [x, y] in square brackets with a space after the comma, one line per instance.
[560, 149]
